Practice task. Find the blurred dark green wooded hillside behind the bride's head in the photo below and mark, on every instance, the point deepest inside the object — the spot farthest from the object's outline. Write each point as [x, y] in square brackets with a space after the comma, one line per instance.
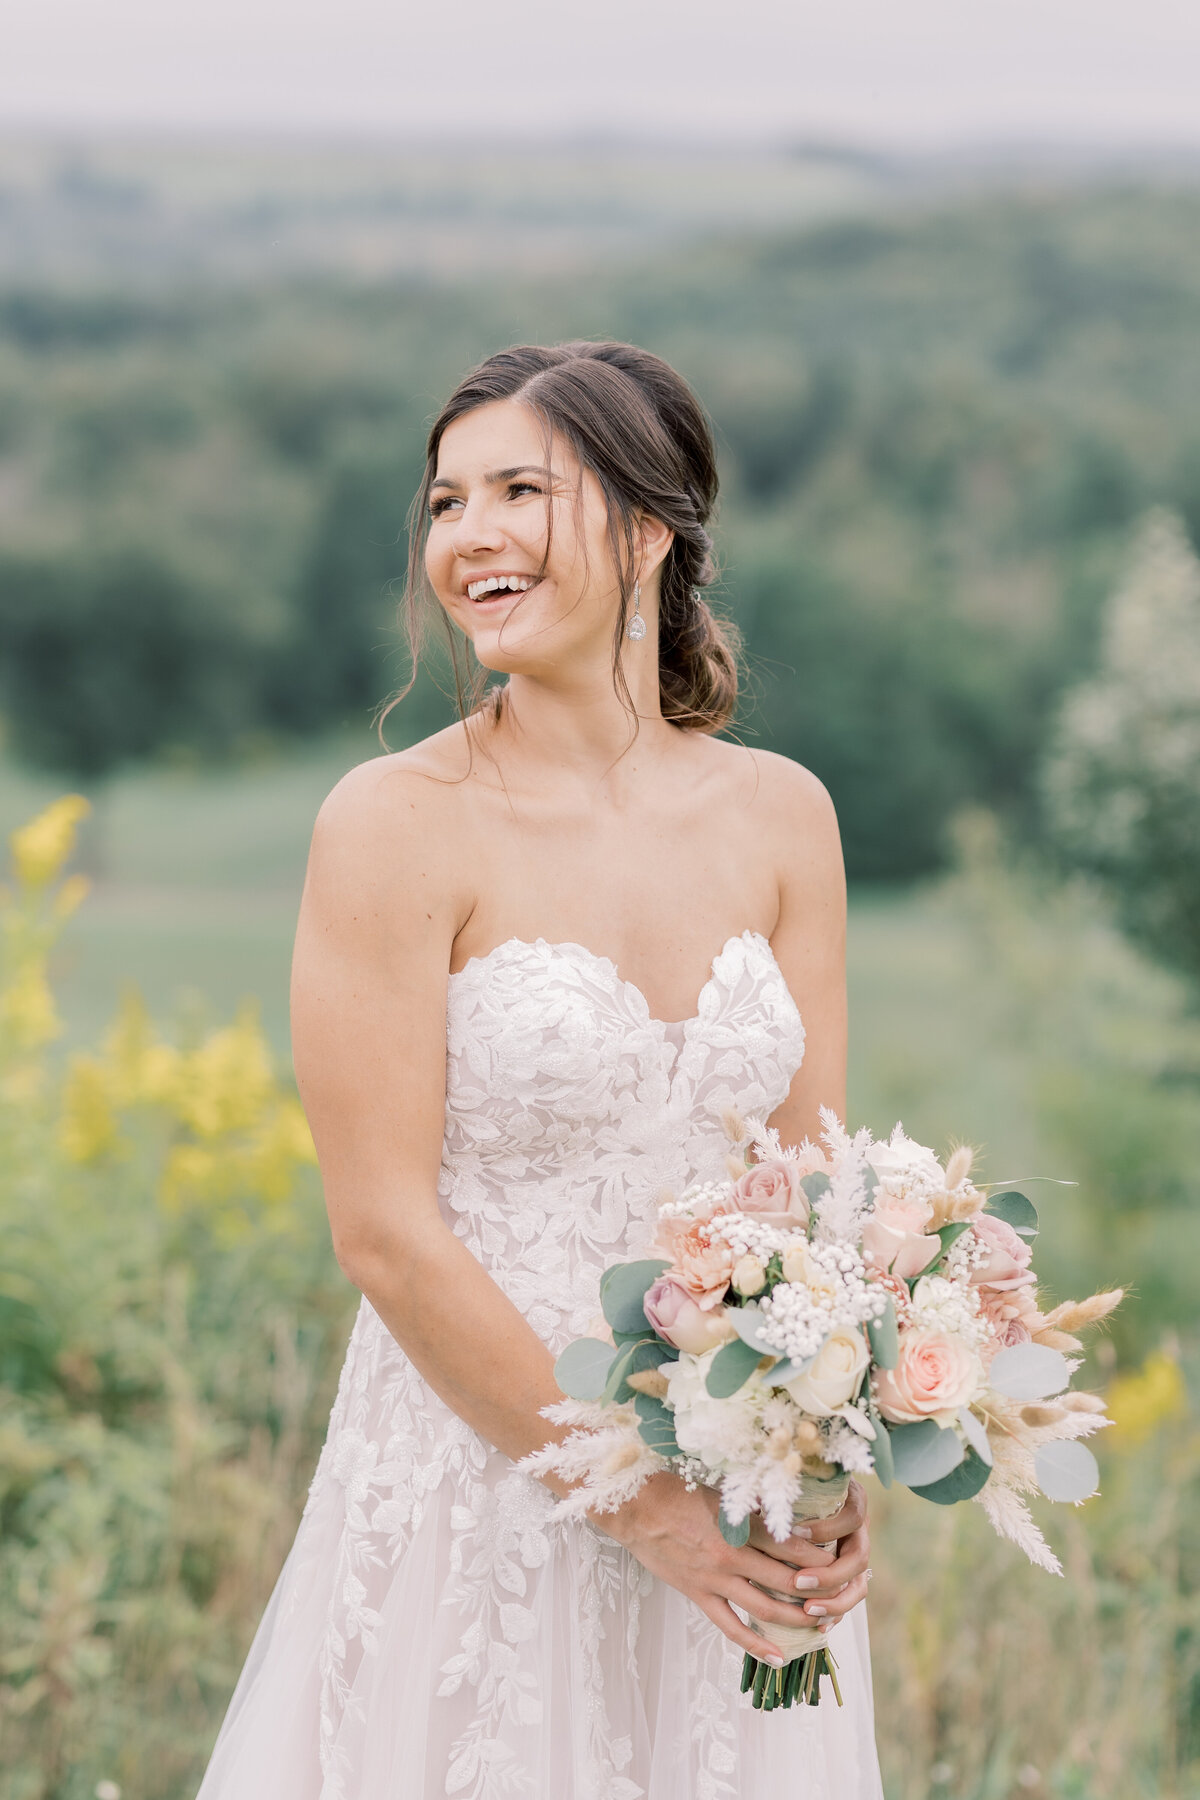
[938, 433]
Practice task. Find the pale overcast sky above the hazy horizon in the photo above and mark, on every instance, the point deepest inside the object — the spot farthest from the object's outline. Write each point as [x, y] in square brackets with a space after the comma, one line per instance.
[476, 73]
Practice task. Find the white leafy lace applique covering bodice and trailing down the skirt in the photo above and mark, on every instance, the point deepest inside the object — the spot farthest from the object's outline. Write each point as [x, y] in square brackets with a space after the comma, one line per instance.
[568, 1113]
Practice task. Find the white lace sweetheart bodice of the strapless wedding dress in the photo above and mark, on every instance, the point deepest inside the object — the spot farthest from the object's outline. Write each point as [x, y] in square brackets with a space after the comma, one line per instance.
[569, 1110]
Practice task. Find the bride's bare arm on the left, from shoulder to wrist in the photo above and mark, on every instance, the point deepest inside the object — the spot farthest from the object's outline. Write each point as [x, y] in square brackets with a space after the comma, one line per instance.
[381, 912]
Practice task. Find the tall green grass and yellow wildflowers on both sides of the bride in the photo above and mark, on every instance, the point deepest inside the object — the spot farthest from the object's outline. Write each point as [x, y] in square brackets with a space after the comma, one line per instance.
[172, 1324]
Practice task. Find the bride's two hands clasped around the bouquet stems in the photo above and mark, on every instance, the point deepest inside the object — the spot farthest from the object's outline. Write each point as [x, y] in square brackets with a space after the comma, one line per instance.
[674, 1534]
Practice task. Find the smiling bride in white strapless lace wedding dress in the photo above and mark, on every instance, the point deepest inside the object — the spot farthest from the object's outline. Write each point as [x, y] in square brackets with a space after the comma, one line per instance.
[539, 957]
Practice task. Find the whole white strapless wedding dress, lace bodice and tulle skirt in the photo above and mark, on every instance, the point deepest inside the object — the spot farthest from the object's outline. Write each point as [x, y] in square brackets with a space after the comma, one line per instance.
[434, 1633]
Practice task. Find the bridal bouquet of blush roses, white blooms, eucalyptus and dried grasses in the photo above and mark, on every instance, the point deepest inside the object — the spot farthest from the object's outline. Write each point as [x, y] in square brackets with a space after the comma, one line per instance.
[828, 1311]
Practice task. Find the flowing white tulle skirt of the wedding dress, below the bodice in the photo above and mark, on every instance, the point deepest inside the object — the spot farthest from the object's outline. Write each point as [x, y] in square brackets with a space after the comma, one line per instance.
[434, 1633]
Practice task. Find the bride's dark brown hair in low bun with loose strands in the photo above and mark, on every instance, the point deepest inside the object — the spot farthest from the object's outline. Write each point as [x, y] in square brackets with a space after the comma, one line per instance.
[640, 429]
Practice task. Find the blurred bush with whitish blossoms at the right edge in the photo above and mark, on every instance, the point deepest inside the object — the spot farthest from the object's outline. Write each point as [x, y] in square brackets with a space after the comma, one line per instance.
[1124, 778]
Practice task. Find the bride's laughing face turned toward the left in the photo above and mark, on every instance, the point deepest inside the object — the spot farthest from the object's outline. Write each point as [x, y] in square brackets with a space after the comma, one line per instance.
[492, 501]
